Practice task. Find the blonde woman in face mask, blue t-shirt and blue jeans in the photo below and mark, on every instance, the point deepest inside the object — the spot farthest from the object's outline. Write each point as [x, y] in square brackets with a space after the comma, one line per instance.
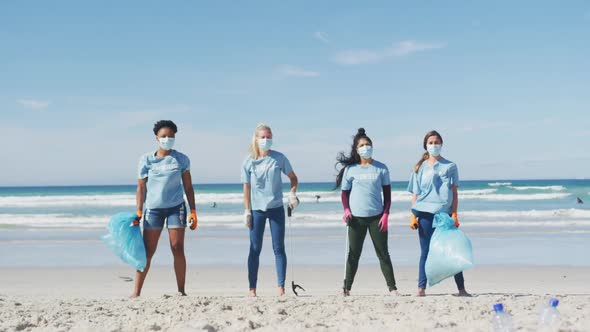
[263, 199]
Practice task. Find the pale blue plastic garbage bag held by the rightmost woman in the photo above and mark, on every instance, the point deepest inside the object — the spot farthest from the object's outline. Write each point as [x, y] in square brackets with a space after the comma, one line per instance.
[450, 250]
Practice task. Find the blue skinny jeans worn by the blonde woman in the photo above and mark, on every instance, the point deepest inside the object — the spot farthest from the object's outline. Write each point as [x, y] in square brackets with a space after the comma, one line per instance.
[276, 219]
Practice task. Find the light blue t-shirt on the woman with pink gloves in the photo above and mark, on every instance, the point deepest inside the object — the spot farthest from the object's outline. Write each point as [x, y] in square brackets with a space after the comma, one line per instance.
[366, 185]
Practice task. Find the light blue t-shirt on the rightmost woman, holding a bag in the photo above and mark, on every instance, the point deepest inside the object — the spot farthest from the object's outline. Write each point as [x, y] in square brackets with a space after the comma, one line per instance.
[434, 186]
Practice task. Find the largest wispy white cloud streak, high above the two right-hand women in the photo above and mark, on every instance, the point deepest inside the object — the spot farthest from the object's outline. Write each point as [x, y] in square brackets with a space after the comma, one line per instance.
[364, 56]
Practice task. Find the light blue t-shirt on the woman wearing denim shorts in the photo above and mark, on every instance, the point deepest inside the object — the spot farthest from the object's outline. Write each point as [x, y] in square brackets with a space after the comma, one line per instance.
[164, 178]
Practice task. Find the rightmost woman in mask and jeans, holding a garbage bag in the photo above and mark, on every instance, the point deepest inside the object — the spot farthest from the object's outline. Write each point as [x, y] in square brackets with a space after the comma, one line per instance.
[433, 185]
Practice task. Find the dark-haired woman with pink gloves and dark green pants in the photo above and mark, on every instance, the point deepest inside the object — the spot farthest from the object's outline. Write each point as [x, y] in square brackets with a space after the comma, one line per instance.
[362, 179]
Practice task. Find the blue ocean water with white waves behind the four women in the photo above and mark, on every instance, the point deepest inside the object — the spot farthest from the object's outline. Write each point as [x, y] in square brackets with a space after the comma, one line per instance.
[512, 222]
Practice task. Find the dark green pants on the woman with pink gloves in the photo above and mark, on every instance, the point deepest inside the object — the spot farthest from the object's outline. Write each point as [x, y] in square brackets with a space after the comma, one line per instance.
[357, 231]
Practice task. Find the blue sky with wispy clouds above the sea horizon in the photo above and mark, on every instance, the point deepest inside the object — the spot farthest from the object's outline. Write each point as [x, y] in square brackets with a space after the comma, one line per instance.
[506, 83]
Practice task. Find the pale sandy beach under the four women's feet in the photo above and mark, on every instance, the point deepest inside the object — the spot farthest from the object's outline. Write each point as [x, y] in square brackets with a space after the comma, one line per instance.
[95, 299]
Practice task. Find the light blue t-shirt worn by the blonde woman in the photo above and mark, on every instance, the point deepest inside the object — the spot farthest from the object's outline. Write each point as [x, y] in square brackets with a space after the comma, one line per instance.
[264, 176]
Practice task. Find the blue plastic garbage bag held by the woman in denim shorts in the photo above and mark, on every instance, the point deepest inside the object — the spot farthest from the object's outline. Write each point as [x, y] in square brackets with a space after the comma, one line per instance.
[125, 240]
